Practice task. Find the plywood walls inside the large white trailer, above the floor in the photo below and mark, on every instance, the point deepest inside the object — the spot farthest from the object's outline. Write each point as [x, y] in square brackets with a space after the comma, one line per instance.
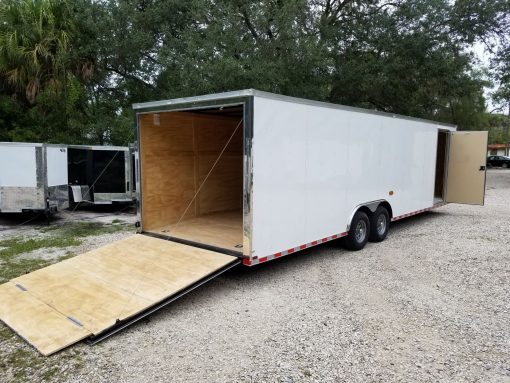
[177, 150]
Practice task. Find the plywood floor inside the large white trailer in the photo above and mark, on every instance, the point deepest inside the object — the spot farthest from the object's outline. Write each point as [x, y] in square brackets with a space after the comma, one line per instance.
[223, 229]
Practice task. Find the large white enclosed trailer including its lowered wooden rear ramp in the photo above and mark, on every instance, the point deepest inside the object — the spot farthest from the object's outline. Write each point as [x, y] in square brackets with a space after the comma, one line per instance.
[244, 176]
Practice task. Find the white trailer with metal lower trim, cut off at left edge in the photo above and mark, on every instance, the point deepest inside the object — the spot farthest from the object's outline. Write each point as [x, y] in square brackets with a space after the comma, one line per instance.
[33, 177]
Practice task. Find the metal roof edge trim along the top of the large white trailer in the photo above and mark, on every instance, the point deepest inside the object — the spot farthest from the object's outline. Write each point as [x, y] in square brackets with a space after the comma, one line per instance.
[147, 106]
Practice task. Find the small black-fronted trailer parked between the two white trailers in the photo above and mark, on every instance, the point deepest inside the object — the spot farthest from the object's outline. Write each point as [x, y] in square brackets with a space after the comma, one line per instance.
[100, 175]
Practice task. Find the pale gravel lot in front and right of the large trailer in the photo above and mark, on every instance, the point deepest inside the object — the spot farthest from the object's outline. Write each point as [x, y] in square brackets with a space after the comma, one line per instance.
[431, 303]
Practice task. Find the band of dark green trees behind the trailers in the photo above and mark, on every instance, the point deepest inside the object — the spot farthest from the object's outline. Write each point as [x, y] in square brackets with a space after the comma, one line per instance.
[95, 58]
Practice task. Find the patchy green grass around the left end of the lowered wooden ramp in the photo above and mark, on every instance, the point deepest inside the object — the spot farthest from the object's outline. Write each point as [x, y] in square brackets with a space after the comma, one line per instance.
[18, 361]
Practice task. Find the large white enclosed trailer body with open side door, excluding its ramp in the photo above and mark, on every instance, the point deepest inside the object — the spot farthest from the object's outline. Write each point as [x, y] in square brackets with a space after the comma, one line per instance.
[295, 172]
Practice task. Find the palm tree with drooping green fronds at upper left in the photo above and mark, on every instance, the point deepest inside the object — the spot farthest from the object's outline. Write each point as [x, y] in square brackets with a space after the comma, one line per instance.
[35, 38]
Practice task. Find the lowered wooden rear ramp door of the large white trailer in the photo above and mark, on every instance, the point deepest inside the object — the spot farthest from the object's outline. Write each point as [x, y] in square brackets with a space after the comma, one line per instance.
[92, 293]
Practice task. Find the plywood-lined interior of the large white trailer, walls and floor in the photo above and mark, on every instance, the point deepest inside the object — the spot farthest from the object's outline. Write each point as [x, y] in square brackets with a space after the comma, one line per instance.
[191, 166]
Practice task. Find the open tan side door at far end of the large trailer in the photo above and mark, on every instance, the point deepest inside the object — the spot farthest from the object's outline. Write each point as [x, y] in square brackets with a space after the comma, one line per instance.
[466, 168]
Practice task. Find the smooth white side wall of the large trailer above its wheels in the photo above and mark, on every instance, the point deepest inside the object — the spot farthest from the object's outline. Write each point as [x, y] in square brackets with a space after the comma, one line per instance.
[313, 165]
